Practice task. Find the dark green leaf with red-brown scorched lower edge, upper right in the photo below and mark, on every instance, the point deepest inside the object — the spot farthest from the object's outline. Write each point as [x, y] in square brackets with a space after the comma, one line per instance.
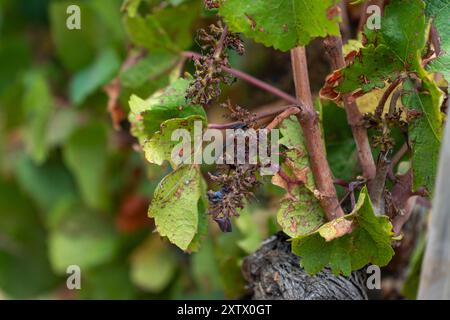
[394, 49]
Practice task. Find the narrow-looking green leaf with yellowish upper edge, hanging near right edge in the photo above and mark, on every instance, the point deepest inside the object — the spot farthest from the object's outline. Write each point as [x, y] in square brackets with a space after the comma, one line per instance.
[425, 132]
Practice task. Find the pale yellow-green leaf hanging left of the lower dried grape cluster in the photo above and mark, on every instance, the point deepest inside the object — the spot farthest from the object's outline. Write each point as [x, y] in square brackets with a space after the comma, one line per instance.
[175, 206]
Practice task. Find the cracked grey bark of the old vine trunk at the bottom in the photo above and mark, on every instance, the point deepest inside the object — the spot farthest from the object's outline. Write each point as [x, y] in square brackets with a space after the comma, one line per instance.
[274, 273]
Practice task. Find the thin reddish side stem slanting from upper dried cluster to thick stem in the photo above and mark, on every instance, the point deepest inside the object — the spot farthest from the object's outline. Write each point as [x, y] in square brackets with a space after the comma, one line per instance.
[251, 80]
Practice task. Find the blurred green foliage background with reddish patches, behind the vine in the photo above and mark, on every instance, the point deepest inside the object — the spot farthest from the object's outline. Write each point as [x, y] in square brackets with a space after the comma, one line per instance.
[73, 191]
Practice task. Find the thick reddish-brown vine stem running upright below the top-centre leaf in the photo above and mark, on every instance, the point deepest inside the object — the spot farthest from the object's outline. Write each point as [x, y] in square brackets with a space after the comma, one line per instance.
[309, 122]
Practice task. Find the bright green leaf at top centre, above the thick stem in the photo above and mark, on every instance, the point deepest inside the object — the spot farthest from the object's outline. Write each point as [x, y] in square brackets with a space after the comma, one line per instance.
[281, 24]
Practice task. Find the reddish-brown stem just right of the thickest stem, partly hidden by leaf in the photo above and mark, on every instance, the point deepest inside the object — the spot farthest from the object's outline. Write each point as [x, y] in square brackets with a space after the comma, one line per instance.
[354, 117]
